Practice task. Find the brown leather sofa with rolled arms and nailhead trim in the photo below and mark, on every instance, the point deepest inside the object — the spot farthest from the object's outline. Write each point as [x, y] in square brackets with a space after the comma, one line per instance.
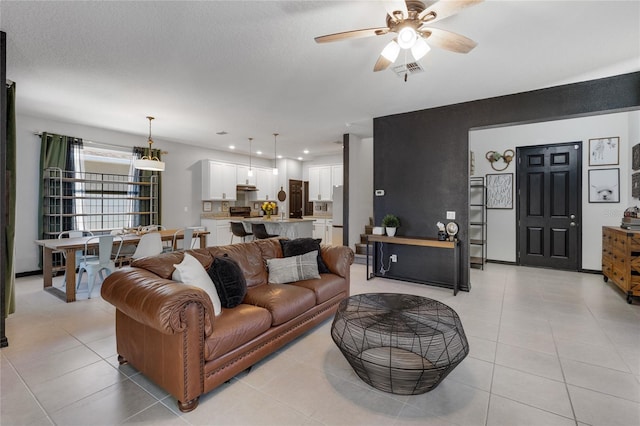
[168, 330]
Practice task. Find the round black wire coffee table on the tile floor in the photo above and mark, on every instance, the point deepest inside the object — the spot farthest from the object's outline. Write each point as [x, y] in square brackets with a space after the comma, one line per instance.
[399, 343]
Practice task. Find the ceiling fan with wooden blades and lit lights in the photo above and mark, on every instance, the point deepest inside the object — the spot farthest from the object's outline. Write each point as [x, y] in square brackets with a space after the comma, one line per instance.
[409, 20]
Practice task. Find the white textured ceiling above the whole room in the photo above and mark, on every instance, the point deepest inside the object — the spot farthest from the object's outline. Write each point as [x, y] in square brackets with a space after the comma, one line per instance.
[252, 68]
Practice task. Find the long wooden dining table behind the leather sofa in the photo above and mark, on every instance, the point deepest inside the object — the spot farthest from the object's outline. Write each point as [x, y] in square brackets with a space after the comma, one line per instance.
[69, 246]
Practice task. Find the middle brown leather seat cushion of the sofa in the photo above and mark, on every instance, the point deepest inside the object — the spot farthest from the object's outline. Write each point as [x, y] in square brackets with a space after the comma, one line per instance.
[284, 301]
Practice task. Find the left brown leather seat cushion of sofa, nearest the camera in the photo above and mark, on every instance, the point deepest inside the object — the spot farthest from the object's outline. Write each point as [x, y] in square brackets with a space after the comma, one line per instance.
[235, 327]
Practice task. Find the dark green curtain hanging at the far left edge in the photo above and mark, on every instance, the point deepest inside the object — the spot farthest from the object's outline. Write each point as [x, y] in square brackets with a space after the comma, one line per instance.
[9, 278]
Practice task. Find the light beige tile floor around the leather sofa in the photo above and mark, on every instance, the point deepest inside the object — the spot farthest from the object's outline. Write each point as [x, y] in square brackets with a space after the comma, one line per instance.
[547, 348]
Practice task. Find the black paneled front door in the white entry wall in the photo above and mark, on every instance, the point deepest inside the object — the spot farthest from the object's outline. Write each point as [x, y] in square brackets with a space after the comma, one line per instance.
[549, 188]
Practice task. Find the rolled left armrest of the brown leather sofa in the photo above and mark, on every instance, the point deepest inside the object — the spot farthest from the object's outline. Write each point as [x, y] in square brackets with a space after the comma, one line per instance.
[154, 301]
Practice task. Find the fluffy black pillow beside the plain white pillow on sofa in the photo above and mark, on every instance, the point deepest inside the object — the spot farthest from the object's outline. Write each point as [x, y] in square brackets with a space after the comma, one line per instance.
[228, 280]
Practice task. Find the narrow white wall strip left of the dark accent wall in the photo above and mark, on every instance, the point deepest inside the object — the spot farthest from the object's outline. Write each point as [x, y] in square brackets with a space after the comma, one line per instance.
[360, 186]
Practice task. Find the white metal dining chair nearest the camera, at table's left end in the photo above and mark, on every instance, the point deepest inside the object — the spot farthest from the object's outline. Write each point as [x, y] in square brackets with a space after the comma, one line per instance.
[103, 265]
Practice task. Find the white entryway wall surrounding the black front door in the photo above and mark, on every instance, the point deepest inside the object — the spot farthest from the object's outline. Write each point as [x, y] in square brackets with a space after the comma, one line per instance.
[501, 224]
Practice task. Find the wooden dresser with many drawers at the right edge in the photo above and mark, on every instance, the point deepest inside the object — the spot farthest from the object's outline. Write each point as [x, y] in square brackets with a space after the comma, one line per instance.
[621, 259]
